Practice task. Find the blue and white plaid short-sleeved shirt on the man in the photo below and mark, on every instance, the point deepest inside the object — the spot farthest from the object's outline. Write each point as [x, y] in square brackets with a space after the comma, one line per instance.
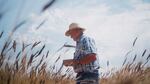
[84, 46]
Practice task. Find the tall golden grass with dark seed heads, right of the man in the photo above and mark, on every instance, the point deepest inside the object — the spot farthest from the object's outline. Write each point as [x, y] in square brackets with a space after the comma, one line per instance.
[130, 73]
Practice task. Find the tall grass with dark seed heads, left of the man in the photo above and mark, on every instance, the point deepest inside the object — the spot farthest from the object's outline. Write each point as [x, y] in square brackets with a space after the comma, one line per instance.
[22, 71]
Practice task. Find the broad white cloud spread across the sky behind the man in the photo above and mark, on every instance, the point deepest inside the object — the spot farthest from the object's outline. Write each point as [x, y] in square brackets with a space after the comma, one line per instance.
[114, 33]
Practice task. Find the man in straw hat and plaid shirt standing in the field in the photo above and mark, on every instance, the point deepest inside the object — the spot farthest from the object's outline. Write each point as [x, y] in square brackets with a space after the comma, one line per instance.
[85, 61]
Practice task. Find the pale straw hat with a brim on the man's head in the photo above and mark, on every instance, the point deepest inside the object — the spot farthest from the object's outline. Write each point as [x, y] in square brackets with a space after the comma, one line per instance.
[73, 26]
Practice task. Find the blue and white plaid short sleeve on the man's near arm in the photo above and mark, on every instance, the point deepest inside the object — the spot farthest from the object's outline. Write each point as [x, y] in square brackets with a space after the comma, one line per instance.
[88, 46]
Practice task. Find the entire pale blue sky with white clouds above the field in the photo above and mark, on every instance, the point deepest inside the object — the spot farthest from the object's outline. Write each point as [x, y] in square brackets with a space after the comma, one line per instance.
[114, 24]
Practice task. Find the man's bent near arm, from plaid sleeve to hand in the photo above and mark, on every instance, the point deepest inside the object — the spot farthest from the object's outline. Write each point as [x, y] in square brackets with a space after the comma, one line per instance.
[89, 50]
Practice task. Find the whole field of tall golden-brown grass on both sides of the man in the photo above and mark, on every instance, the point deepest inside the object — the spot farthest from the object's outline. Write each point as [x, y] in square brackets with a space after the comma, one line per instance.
[22, 71]
